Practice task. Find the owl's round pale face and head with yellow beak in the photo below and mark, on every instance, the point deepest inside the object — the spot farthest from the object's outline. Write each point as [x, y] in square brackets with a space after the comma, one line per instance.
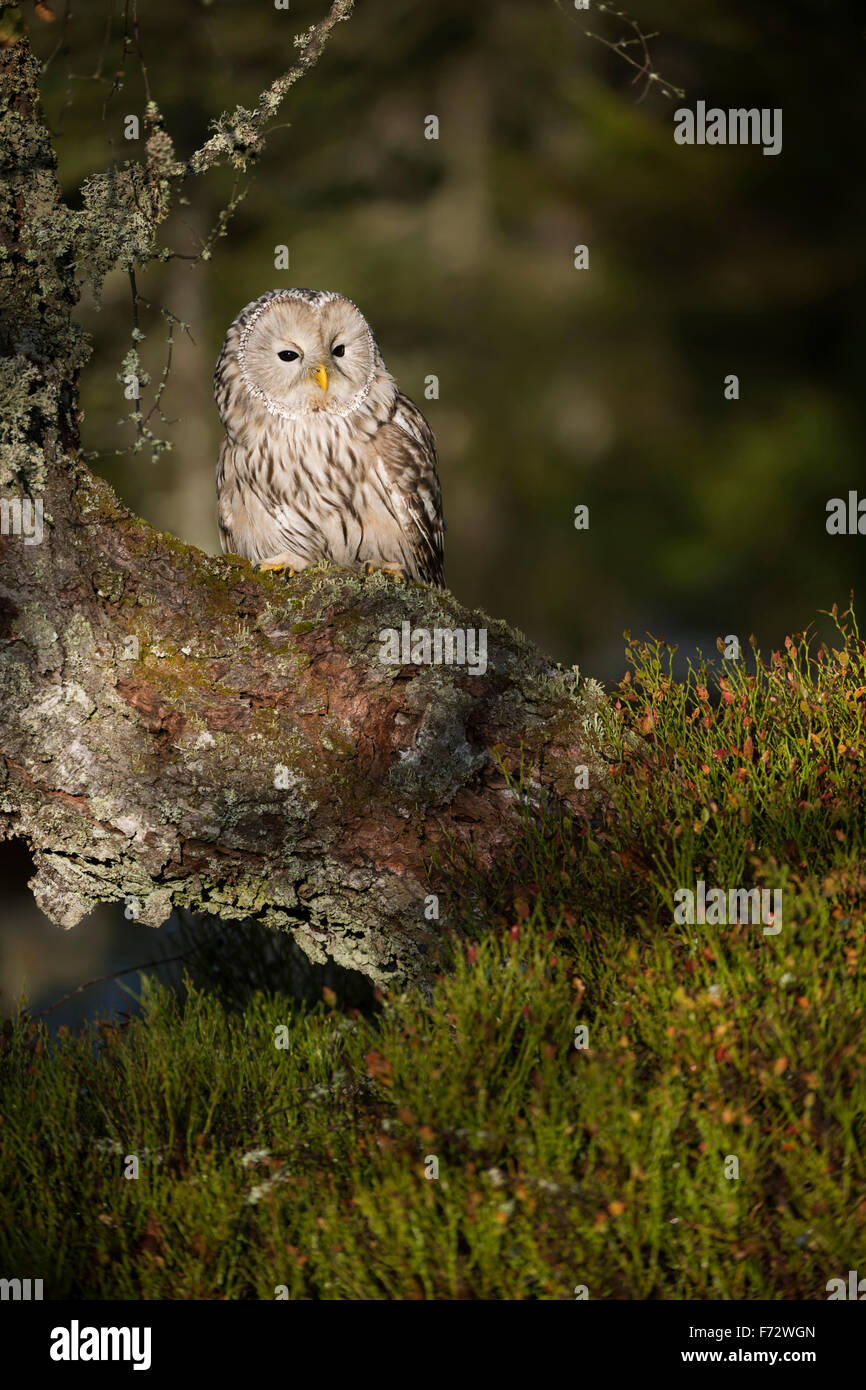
[304, 352]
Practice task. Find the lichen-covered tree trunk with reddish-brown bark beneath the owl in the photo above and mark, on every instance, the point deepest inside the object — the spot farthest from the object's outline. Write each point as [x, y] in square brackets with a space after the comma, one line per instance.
[179, 732]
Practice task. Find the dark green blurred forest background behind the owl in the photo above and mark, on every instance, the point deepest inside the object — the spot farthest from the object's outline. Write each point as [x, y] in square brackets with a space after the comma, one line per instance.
[558, 387]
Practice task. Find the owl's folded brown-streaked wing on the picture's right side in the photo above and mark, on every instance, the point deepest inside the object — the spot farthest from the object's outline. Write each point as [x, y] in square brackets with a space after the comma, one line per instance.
[408, 459]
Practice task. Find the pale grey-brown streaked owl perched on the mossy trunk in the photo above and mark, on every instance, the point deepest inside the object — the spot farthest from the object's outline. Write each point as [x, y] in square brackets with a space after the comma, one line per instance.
[325, 458]
